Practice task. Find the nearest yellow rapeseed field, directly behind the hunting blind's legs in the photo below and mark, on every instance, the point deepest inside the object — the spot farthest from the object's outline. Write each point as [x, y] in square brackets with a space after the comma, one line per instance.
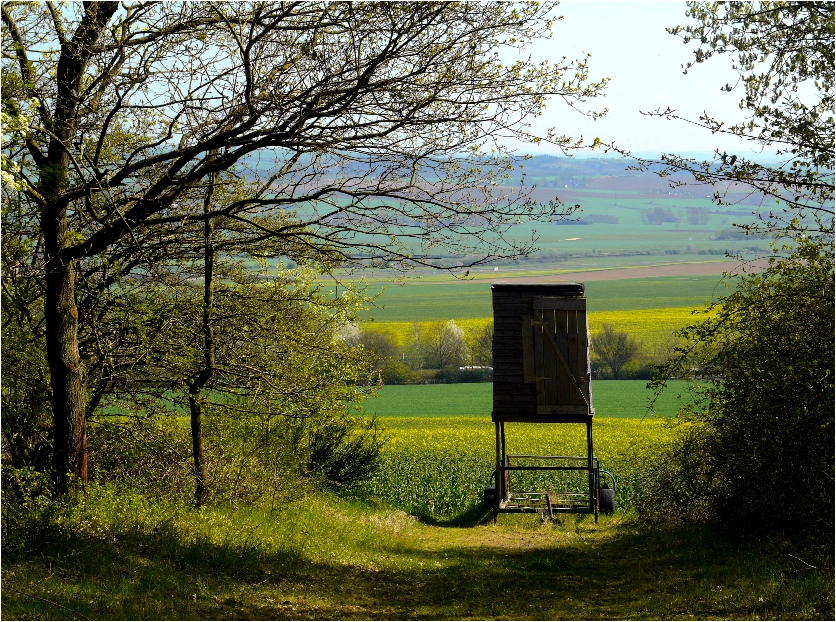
[438, 467]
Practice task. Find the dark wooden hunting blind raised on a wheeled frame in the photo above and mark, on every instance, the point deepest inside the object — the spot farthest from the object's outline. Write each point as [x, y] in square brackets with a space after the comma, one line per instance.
[541, 374]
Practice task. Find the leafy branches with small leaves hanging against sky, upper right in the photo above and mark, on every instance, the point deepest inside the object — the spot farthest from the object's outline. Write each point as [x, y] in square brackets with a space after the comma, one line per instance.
[784, 55]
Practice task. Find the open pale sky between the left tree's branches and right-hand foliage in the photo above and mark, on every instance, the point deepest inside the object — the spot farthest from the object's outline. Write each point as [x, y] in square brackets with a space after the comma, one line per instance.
[629, 44]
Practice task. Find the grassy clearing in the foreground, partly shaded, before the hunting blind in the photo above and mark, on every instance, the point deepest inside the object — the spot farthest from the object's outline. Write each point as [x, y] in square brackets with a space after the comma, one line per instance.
[320, 557]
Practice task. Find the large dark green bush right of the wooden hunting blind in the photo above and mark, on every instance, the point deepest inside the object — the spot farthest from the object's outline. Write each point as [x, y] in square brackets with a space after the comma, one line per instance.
[762, 459]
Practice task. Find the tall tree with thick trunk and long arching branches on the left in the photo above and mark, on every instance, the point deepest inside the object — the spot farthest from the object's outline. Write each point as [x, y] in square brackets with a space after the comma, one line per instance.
[350, 120]
